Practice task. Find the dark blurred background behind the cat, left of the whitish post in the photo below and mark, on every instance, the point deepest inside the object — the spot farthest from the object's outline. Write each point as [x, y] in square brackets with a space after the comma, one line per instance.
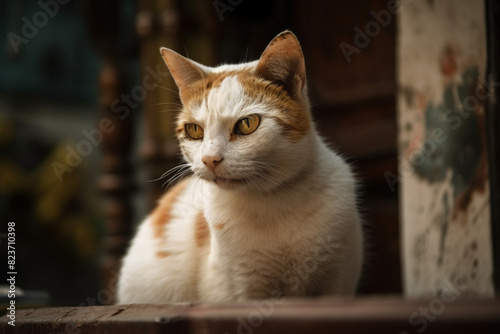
[85, 121]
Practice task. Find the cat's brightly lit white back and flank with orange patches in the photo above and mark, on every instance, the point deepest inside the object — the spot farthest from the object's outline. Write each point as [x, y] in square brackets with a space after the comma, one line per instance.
[163, 259]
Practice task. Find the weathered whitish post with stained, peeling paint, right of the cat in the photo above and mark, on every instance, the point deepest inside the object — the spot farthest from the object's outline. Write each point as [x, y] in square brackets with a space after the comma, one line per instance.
[445, 202]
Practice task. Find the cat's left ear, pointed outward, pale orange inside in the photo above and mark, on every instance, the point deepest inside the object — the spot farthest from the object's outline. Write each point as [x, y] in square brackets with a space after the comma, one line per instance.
[184, 71]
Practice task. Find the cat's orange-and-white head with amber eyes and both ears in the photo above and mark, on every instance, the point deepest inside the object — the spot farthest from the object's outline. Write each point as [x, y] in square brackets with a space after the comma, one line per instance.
[245, 126]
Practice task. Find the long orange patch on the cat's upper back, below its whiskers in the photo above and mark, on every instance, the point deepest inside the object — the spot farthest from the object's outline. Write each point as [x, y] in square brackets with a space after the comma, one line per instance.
[162, 214]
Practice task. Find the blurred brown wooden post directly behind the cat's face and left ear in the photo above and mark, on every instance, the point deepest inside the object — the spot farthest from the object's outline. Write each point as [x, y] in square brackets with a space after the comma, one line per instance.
[157, 25]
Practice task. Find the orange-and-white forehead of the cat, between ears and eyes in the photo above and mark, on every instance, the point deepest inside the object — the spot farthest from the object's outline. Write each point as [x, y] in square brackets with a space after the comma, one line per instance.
[231, 94]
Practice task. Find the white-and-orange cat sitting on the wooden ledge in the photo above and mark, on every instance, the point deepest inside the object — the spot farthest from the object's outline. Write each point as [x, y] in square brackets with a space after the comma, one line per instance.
[270, 210]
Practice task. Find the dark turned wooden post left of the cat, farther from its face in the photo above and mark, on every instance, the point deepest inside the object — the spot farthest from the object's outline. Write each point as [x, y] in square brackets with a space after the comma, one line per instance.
[116, 182]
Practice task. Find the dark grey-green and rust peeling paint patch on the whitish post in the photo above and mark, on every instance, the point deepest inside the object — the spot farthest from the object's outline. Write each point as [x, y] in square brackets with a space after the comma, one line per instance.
[461, 143]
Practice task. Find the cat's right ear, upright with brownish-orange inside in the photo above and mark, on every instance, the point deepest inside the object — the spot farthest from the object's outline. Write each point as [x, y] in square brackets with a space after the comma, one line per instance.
[282, 62]
